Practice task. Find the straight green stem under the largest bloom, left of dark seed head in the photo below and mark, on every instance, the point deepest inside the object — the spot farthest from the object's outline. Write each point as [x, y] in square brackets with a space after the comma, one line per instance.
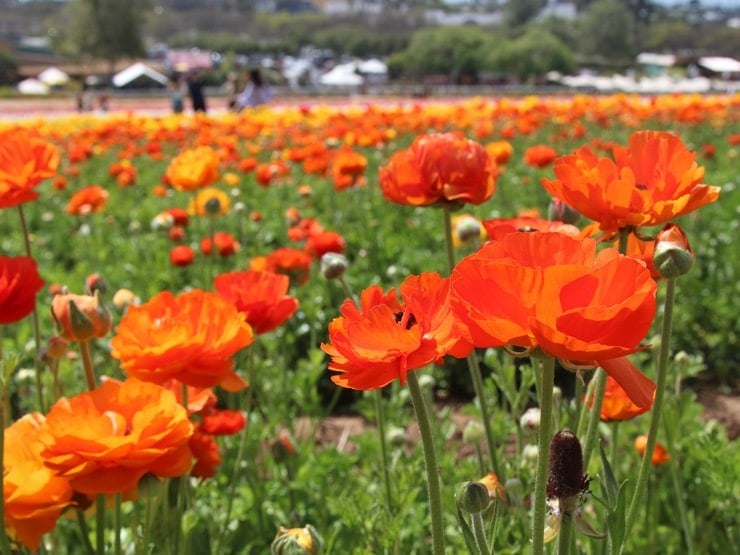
[543, 445]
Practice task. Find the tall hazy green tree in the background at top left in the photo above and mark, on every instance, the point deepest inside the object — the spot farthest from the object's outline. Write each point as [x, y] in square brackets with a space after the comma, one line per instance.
[110, 30]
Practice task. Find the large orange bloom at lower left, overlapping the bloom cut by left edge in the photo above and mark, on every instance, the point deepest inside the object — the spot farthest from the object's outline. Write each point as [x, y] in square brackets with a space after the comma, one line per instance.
[103, 441]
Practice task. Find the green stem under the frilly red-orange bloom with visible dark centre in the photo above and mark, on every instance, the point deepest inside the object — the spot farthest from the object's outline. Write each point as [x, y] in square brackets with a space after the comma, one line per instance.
[430, 462]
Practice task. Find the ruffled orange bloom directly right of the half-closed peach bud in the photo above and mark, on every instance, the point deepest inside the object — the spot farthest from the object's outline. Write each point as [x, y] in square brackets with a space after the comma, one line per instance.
[191, 337]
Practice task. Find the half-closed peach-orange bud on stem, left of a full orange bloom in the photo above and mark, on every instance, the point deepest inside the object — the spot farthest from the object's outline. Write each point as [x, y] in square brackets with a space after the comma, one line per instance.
[80, 317]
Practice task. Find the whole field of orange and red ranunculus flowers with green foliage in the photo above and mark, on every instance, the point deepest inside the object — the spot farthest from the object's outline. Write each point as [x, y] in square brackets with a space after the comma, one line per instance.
[465, 326]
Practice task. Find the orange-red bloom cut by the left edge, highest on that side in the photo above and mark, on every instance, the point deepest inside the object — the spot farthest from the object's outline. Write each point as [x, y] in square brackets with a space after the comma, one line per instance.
[25, 161]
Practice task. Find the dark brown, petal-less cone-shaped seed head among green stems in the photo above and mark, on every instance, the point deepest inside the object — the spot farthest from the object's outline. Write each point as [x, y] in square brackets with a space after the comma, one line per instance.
[565, 471]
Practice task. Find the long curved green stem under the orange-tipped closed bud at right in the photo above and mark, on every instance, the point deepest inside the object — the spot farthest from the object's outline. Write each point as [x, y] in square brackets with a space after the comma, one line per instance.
[662, 371]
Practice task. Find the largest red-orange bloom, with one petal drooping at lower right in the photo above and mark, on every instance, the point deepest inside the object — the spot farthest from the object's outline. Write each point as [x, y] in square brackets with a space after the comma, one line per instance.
[553, 292]
